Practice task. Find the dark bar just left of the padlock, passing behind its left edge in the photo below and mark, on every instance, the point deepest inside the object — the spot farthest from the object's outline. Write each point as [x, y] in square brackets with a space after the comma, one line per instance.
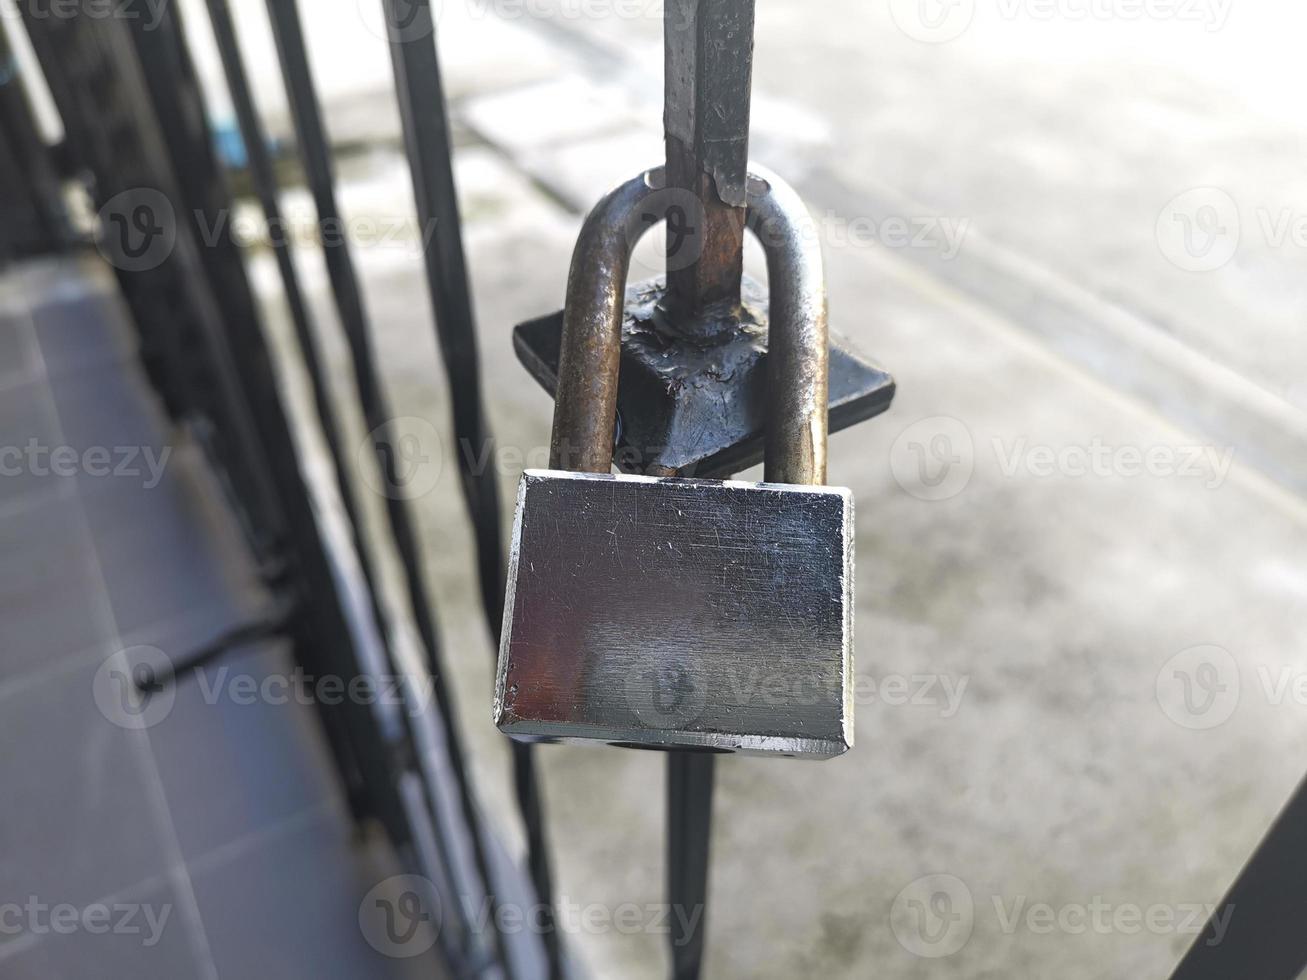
[427, 135]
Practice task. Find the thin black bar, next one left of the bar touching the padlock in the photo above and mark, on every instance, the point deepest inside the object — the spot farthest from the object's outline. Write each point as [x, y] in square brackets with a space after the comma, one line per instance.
[316, 154]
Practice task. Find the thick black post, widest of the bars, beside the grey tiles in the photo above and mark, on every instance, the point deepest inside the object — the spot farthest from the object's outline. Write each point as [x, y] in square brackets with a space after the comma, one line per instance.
[116, 133]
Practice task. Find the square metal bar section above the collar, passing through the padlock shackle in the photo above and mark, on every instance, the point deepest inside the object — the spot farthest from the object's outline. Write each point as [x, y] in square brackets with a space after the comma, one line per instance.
[709, 74]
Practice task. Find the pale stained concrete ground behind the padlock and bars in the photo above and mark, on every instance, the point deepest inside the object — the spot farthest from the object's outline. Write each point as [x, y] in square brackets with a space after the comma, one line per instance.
[1080, 633]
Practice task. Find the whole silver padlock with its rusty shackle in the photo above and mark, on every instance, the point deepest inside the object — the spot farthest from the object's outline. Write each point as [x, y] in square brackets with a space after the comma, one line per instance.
[670, 613]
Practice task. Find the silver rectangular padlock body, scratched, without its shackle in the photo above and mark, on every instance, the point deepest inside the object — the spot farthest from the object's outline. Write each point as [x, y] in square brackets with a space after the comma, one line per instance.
[680, 615]
